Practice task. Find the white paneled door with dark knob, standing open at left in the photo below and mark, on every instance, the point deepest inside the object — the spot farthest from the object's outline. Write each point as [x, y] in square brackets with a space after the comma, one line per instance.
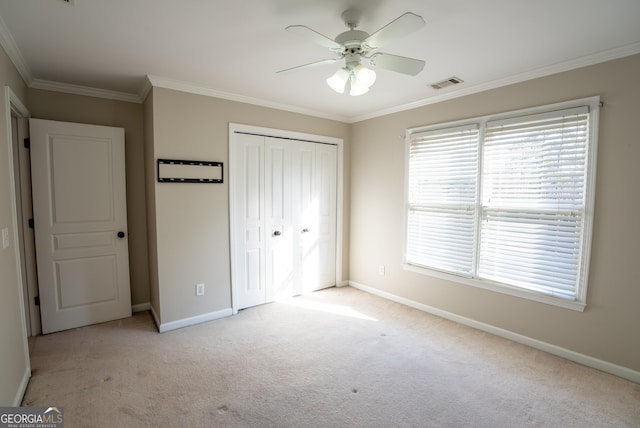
[80, 216]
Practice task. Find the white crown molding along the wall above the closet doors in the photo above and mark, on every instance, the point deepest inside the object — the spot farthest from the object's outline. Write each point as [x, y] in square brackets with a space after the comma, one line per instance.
[178, 85]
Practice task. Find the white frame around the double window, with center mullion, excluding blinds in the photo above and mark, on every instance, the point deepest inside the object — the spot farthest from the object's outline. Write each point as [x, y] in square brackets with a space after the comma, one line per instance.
[579, 304]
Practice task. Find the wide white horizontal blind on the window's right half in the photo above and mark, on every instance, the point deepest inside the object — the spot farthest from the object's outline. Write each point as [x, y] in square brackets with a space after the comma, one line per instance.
[533, 201]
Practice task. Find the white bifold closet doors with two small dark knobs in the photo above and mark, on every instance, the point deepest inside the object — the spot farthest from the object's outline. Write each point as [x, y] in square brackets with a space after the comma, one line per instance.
[285, 236]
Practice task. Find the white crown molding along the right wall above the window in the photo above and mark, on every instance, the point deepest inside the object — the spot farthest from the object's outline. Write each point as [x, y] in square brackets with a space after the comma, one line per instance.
[584, 61]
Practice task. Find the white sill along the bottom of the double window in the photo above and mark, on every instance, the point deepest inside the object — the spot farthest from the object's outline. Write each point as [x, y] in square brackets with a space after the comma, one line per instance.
[498, 288]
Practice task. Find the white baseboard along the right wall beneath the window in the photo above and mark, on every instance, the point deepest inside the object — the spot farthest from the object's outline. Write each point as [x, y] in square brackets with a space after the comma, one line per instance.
[605, 366]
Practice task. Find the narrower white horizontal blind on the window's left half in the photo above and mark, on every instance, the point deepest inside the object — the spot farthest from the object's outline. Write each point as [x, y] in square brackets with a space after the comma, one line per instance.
[443, 169]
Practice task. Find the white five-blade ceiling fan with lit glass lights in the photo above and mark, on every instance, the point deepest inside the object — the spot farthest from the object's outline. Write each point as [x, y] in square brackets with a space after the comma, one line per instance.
[354, 45]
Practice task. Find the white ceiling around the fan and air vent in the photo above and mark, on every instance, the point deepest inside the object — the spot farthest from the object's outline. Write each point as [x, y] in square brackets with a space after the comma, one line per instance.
[233, 49]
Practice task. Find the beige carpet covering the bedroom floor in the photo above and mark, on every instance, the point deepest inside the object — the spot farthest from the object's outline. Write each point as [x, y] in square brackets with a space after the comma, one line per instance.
[336, 358]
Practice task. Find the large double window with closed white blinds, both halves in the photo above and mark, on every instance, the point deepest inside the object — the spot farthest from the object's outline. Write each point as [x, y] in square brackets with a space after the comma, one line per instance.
[505, 202]
